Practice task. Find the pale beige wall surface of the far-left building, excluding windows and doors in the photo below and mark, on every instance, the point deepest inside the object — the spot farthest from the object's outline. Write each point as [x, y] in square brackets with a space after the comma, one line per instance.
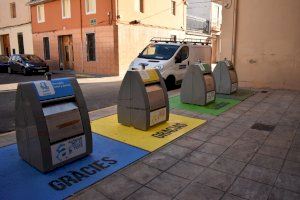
[13, 26]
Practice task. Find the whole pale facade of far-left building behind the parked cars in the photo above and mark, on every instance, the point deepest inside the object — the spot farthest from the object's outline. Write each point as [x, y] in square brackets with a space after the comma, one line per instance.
[15, 28]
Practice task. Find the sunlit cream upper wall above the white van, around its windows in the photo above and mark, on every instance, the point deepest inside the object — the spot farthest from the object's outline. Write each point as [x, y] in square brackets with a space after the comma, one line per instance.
[156, 13]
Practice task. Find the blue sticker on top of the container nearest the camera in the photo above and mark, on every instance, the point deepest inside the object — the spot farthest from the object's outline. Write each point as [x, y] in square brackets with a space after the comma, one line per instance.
[52, 89]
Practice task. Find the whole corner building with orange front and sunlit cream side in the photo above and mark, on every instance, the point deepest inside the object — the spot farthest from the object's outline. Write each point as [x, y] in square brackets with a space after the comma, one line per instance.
[101, 36]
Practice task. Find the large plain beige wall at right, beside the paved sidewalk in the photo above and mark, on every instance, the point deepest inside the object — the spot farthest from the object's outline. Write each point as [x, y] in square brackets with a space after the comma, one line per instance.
[267, 42]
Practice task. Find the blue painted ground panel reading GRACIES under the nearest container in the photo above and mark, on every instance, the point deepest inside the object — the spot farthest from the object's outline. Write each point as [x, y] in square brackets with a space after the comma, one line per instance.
[18, 180]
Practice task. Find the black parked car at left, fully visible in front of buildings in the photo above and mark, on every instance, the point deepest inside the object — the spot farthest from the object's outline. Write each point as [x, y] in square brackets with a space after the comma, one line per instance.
[26, 64]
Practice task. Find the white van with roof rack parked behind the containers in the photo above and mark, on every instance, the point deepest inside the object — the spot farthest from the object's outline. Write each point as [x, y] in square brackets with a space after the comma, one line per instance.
[172, 58]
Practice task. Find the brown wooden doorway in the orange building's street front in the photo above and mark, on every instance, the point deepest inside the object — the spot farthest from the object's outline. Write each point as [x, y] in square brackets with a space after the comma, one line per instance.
[66, 54]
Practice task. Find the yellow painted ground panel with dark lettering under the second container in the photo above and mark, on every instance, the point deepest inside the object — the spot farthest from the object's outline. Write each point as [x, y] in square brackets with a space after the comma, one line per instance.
[150, 140]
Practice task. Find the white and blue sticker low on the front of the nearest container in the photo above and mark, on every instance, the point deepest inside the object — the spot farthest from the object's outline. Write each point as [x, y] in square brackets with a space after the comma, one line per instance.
[67, 149]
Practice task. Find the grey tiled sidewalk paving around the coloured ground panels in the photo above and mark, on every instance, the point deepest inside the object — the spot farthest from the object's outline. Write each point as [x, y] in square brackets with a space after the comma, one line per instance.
[227, 158]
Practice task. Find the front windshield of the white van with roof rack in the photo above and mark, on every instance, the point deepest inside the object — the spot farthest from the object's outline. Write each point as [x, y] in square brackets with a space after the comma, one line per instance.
[159, 51]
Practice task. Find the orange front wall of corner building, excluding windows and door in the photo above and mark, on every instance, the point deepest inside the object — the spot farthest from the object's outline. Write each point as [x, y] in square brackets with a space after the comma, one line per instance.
[54, 26]
